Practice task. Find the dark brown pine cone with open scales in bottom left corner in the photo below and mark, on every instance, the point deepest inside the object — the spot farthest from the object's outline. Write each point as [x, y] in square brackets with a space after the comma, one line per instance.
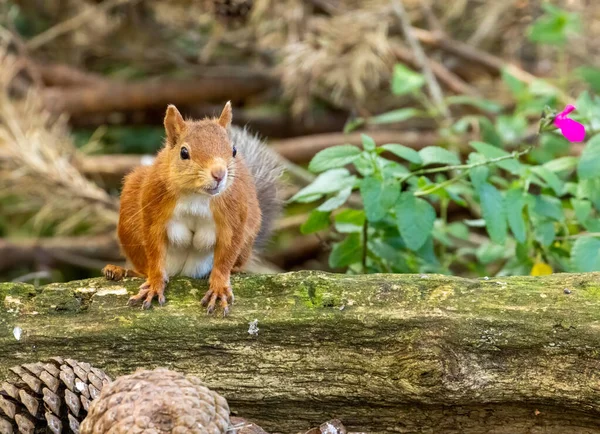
[49, 397]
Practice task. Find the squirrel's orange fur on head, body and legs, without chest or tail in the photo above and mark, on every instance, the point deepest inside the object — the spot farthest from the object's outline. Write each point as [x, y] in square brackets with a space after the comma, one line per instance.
[150, 195]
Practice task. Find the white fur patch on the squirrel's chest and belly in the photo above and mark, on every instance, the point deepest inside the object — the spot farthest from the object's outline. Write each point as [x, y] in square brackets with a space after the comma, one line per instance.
[191, 235]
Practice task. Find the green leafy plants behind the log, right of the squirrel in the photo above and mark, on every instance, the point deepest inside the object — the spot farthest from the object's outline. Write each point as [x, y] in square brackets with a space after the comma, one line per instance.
[527, 209]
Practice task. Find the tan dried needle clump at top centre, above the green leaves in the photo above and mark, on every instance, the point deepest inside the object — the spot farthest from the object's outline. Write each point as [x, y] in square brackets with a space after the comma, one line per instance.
[332, 61]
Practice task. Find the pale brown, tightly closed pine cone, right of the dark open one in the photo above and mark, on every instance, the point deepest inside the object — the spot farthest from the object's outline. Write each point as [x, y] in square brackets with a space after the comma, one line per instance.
[158, 402]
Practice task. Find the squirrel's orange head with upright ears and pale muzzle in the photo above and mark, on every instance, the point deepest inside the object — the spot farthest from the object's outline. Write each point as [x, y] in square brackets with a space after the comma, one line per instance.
[201, 156]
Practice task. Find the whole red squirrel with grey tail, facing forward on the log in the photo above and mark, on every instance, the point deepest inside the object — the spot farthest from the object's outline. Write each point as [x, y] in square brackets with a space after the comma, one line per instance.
[208, 200]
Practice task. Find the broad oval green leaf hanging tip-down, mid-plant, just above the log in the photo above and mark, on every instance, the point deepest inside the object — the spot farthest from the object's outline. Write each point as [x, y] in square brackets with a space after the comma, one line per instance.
[415, 218]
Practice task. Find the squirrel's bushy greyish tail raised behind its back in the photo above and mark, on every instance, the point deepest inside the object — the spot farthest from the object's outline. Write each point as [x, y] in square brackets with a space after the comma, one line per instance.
[266, 168]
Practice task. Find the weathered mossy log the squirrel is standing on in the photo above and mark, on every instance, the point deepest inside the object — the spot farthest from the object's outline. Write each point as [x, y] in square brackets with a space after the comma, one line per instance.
[383, 353]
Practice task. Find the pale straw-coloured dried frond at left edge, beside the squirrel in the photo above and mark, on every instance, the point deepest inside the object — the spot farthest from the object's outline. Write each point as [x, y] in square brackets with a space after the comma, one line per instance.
[38, 164]
